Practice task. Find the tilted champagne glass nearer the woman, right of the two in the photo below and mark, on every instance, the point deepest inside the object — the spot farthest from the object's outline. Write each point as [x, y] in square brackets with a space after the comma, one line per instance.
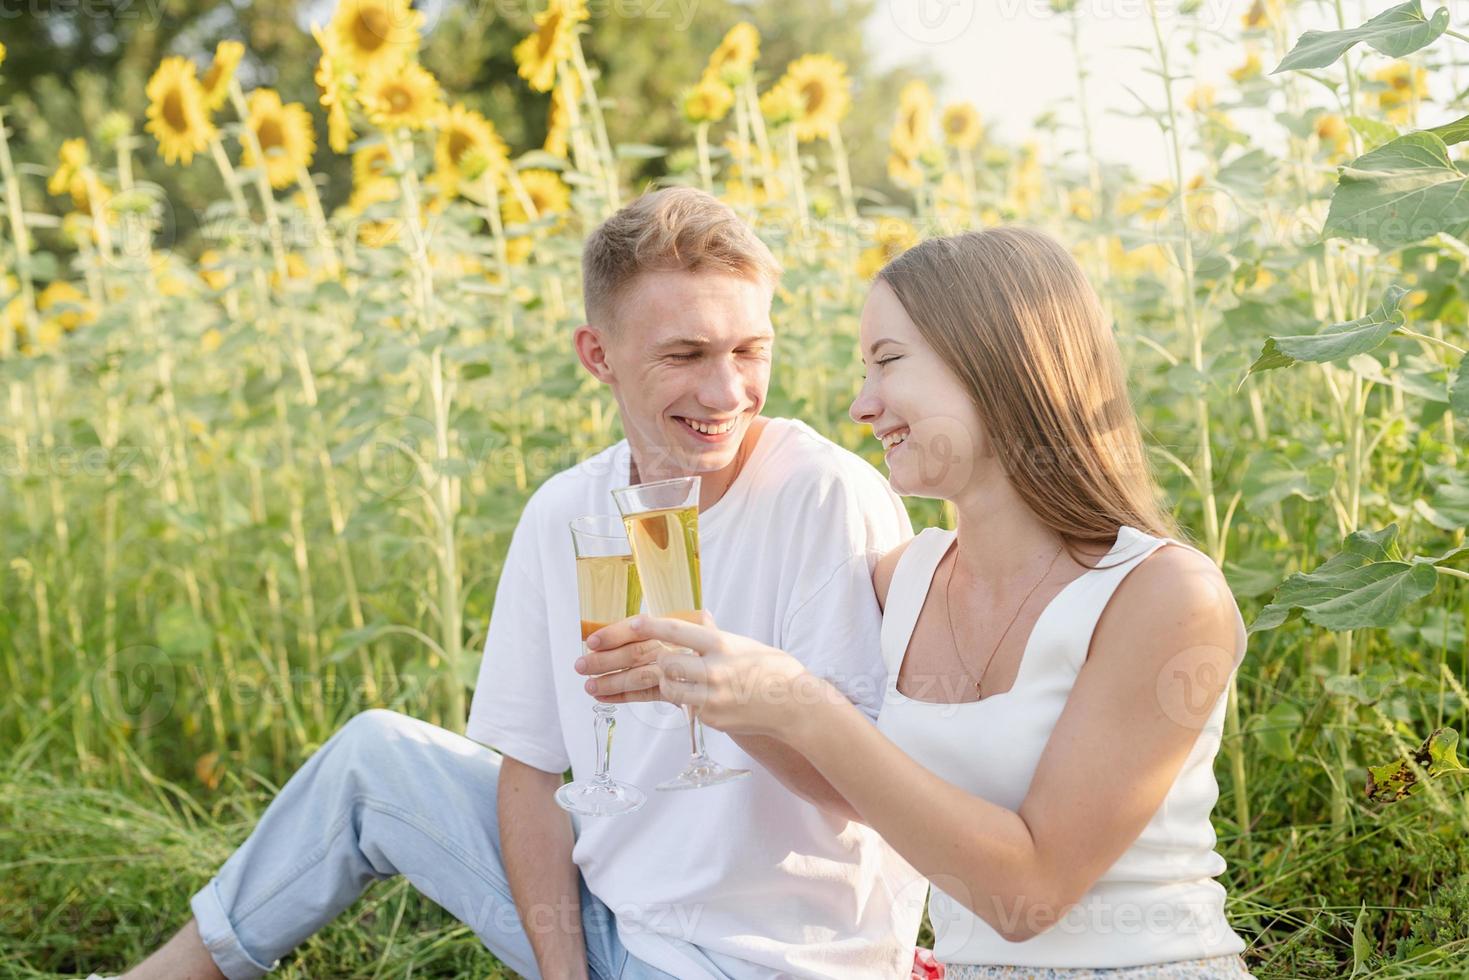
[663, 530]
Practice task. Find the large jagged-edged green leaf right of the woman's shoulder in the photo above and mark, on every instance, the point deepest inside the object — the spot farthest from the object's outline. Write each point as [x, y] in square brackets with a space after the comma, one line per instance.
[1364, 587]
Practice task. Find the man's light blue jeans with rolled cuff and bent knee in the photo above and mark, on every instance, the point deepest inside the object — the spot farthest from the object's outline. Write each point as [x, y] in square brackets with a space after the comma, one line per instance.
[386, 796]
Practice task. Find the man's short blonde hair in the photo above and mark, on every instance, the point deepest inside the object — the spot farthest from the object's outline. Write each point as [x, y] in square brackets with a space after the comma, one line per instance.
[678, 228]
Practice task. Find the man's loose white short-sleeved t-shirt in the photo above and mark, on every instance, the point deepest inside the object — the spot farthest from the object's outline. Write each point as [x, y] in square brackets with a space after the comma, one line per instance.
[765, 884]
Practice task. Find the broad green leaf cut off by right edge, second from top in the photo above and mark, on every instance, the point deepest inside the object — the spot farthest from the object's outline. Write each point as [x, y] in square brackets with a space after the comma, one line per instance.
[1401, 193]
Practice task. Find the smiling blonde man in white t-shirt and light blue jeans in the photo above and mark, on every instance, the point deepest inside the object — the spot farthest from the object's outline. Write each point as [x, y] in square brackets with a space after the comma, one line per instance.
[743, 881]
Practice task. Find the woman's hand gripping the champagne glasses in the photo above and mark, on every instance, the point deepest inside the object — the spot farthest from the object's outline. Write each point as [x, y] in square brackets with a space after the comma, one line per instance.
[741, 687]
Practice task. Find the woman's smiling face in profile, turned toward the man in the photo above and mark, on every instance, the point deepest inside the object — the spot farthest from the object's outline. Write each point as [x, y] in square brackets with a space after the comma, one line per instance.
[917, 408]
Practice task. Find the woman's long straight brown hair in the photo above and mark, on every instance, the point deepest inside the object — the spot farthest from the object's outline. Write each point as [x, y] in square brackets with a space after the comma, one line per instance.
[1013, 315]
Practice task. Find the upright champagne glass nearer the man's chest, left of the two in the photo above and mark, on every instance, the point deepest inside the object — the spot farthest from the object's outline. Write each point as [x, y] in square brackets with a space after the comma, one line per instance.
[607, 591]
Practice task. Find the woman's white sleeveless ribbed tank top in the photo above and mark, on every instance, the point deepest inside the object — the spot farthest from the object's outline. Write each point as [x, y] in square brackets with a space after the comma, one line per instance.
[1160, 901]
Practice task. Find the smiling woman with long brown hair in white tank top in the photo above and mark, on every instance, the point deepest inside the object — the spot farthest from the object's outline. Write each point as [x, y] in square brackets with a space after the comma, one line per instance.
[1058, 665]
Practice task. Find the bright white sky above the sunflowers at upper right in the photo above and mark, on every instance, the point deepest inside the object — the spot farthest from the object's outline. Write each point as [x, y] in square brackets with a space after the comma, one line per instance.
[1013, 60]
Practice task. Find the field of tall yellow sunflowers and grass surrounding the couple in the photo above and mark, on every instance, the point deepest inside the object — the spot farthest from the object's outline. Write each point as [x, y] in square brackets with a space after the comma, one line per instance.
[255, 486]
